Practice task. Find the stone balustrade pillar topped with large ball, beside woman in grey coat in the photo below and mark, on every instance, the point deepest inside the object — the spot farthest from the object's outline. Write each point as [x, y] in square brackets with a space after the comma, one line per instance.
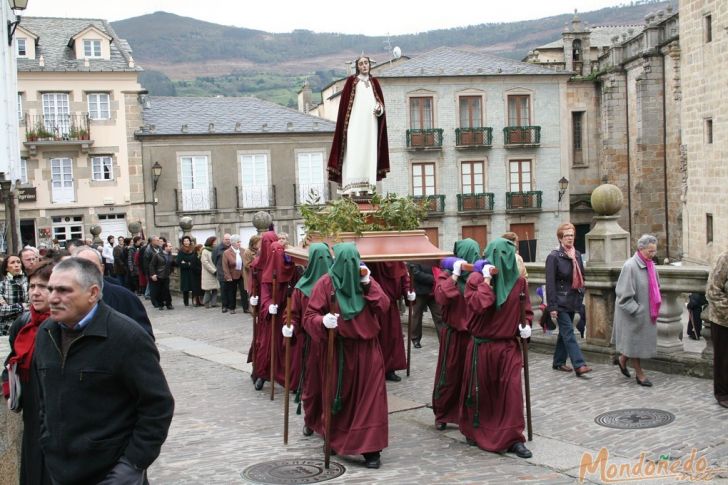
[607, 247]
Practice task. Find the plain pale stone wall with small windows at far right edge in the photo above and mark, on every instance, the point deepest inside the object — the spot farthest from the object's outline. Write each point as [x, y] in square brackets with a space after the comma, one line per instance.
[703, 70]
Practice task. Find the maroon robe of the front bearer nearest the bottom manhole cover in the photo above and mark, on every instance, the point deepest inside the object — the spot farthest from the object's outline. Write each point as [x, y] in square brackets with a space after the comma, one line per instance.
[361, 426]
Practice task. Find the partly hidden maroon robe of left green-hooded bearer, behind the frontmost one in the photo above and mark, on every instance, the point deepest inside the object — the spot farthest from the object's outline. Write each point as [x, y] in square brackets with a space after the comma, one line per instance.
[310, 358]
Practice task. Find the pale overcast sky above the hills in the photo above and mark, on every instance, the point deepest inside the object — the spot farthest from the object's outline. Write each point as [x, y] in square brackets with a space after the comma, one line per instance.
[389, 17]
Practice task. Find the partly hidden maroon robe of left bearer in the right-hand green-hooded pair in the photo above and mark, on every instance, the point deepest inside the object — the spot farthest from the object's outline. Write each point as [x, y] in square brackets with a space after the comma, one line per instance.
[454, 338]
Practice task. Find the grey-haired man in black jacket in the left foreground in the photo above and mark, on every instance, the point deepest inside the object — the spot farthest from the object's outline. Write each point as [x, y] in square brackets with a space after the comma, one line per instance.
[105, 406]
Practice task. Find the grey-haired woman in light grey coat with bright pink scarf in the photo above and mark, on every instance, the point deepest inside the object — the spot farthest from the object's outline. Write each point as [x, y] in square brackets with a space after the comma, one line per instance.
[636, 309]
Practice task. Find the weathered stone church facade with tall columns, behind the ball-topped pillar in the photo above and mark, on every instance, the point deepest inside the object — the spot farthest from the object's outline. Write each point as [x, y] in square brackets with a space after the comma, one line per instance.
[626, 108]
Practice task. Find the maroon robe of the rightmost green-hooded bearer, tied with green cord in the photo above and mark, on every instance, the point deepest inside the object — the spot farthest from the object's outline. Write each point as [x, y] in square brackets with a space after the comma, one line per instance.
[499, 402]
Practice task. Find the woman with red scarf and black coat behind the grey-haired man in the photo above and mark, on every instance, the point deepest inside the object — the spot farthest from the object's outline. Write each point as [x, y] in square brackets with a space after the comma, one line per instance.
[22, 334]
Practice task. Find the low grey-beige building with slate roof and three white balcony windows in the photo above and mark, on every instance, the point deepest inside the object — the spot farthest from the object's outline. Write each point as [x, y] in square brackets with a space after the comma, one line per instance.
[224, 159]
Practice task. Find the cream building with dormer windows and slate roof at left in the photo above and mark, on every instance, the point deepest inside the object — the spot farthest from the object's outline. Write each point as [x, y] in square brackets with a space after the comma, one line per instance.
[78, 106]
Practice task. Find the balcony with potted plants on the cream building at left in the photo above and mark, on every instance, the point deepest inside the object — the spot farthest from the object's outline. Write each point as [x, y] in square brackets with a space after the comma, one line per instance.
[65, 129]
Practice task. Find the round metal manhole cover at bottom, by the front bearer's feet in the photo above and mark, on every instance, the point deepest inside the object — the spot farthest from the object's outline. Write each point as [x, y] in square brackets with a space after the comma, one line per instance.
[283, 472]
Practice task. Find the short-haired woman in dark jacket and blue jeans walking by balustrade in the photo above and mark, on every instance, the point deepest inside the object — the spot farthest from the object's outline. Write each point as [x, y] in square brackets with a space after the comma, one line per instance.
[564, 294]
